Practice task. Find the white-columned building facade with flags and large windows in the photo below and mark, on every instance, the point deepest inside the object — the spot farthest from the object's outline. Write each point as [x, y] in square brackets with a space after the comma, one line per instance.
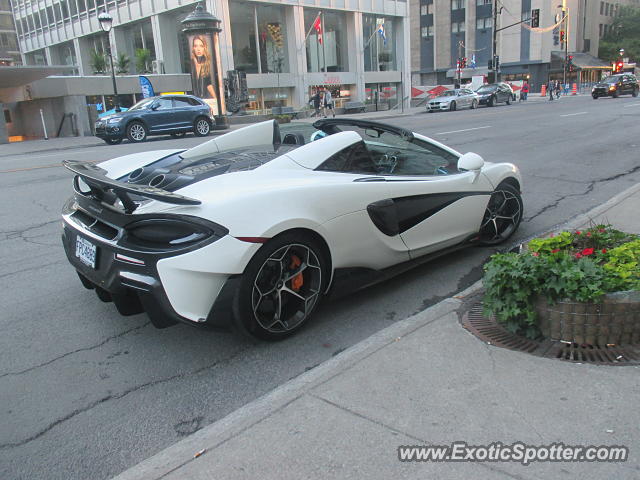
[274, 42]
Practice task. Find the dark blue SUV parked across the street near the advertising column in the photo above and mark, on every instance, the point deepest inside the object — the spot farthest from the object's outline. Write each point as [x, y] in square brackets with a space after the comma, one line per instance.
[167, 114]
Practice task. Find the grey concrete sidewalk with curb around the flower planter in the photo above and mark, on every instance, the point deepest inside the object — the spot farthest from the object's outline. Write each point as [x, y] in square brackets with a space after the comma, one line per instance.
[423, 381]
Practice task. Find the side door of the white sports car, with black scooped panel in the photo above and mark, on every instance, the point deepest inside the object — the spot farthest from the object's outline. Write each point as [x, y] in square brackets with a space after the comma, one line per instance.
[434, 204]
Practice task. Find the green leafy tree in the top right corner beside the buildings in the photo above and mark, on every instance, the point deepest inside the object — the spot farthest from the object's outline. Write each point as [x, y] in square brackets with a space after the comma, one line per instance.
[623, 33]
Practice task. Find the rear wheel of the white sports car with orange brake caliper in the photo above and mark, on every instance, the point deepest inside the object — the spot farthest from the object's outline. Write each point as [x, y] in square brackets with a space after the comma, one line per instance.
[270, 304]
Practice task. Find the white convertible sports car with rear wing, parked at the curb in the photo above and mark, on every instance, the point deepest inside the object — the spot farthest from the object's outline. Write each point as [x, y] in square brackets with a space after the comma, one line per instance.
[253, 227]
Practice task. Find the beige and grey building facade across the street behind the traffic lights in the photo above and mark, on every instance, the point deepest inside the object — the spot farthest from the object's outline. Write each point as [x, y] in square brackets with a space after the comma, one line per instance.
[445, 30]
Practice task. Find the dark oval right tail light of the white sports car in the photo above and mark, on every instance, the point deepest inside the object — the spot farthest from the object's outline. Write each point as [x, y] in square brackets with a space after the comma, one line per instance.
[170, 233]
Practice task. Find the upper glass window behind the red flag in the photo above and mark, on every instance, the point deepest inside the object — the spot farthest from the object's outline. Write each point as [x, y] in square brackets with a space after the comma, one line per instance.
[327, 46]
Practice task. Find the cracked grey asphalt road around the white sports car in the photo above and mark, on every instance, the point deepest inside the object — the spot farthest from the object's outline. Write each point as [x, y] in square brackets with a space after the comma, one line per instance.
[86, 393]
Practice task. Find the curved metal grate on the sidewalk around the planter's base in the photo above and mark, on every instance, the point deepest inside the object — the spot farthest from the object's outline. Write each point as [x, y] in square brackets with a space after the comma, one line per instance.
[491, 332]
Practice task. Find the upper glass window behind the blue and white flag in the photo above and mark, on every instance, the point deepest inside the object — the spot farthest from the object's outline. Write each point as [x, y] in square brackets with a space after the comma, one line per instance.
[379, 46]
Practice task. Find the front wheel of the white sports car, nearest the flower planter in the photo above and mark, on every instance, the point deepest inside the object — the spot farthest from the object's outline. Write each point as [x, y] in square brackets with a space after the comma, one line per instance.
[502, 216]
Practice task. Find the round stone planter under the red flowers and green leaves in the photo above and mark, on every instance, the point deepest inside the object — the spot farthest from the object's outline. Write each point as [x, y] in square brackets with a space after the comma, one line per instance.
[615, 320]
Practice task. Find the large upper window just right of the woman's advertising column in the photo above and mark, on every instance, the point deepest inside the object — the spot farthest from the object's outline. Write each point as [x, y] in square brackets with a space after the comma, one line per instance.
[265, 52]
